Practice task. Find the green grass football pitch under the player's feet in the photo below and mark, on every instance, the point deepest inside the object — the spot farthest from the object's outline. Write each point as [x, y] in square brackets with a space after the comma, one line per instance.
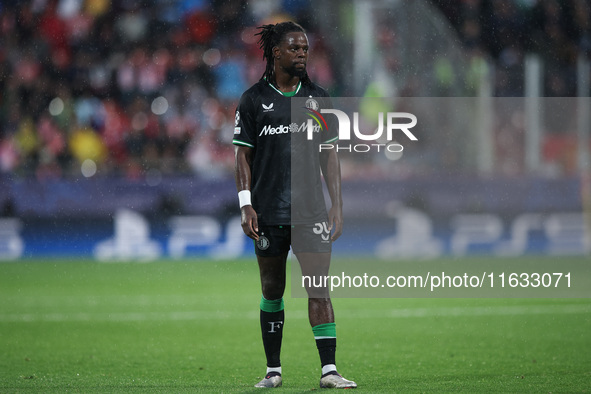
[193, 326]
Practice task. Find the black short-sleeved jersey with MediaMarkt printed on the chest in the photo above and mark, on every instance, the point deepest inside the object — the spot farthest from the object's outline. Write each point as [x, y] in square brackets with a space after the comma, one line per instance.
[264, 122]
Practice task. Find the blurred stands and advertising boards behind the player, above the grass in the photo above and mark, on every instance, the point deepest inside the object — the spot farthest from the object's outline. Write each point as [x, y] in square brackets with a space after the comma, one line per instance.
[115, 122]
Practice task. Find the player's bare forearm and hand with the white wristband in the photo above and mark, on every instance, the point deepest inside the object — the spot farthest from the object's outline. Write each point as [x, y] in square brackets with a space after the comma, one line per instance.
[243, 177]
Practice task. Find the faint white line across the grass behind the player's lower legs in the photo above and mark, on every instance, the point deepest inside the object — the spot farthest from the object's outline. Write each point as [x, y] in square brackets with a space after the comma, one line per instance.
[342, 314]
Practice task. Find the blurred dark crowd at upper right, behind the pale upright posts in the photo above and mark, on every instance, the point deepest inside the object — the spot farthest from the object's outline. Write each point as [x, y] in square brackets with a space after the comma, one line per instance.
[506, 31]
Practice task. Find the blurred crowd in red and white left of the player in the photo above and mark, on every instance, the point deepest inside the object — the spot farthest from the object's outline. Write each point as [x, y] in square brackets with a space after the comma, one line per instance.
[128, 88]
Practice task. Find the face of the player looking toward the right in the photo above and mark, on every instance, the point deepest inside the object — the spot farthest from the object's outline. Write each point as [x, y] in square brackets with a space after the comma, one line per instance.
[292, 54]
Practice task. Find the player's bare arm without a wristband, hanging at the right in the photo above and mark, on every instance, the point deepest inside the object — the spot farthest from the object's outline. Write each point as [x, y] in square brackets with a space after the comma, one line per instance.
[331, 169]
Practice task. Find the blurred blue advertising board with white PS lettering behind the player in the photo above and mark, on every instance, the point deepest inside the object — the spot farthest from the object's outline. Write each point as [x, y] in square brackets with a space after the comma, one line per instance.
[109, 219]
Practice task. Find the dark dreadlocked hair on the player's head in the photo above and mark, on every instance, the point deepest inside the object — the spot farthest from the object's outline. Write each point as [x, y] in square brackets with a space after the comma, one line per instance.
[271, 36]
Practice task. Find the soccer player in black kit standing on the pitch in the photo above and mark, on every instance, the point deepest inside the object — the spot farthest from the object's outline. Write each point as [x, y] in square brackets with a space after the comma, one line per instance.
[276, 216]
